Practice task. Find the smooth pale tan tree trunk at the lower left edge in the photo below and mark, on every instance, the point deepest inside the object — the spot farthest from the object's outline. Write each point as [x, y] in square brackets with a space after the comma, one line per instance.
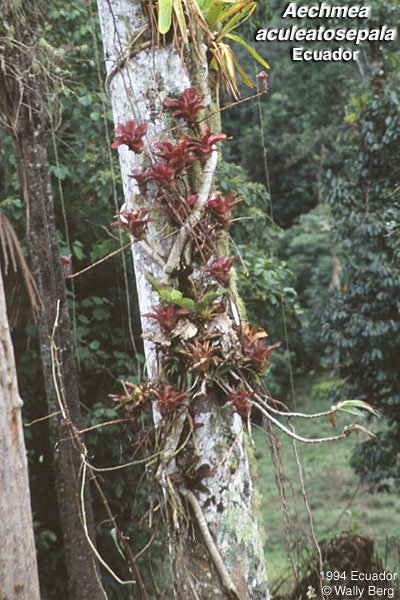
[18, 567]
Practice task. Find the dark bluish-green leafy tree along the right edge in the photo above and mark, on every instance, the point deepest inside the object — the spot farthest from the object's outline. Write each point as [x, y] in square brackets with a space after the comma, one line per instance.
[362, 326]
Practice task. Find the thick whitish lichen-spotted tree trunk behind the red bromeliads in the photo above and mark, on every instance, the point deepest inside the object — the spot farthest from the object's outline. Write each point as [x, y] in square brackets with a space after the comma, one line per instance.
[215, 543]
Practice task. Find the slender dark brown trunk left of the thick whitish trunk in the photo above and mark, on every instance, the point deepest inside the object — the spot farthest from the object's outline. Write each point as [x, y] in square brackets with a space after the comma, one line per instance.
[22, 105]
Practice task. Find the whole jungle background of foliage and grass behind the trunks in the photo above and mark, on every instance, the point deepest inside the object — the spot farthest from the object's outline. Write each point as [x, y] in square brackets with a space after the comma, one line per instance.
[316, 163]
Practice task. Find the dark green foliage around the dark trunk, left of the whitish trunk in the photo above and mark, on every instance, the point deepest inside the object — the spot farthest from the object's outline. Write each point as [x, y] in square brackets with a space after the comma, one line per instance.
[104, 329]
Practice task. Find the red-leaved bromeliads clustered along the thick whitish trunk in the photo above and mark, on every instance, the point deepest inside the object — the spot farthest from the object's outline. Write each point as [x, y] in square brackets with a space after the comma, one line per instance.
[198, 344]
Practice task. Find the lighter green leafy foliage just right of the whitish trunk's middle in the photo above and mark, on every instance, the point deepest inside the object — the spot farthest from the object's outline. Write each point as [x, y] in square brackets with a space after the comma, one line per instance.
[265, 281]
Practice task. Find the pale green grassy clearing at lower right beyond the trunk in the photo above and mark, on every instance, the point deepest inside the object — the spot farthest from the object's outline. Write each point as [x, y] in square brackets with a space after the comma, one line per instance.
[338, 503]
